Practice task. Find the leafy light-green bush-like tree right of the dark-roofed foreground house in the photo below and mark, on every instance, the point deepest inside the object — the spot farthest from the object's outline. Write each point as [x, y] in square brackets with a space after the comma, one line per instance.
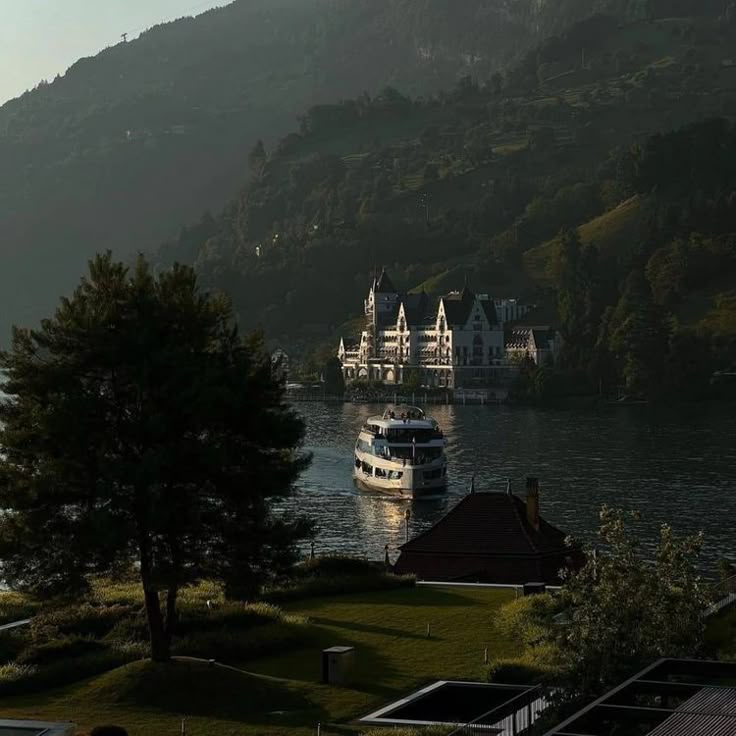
[623, 611]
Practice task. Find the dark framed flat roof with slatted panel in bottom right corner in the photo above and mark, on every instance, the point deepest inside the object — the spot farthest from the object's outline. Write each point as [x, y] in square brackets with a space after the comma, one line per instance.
[672, 697]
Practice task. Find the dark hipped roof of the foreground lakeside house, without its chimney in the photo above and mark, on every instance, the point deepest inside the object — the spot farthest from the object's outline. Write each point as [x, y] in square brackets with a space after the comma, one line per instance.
[488, 524]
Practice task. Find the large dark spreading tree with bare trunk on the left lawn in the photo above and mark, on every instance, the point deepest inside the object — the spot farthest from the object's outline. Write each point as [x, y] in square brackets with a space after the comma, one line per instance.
[140, 431]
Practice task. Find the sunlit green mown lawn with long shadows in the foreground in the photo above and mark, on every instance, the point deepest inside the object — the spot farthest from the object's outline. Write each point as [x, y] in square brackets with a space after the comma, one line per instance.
[281, 695]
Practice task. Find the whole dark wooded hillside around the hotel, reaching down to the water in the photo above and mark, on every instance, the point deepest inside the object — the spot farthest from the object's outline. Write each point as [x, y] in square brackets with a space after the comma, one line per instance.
[596, 177]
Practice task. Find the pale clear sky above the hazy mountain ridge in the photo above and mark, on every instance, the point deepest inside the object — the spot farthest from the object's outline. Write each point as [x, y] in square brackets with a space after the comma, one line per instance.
[42, 38]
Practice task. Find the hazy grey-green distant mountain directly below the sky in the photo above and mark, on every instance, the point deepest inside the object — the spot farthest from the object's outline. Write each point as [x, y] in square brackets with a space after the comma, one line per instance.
[130, 144]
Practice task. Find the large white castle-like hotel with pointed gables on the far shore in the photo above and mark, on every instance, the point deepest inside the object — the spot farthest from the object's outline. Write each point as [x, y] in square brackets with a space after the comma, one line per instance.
[462, 340]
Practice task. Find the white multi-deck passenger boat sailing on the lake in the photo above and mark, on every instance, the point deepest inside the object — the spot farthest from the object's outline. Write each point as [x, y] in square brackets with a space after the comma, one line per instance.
[401, 453]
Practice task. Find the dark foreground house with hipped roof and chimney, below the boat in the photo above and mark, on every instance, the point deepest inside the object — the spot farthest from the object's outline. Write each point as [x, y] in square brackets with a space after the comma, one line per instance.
[491, 538]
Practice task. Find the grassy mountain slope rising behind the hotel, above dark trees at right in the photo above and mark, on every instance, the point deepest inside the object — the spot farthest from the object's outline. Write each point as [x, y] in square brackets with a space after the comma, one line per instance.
[473, 180]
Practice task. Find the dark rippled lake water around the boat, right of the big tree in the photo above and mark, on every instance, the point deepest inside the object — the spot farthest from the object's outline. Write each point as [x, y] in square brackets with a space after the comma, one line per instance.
[676, 466]
